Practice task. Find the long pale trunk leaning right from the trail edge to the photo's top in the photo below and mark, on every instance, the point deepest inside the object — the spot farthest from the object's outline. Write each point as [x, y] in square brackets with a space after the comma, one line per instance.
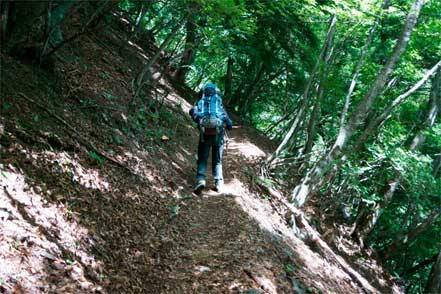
[314, 178]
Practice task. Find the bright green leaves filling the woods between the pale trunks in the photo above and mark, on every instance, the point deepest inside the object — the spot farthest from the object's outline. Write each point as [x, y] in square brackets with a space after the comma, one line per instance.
[274, 46]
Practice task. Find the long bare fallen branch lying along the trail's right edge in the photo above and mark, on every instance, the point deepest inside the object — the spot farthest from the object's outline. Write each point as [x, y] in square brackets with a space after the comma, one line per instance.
[301, 222]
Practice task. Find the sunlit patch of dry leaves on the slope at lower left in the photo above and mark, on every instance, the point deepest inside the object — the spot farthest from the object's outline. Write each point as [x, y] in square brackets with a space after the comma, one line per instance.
[40, 238]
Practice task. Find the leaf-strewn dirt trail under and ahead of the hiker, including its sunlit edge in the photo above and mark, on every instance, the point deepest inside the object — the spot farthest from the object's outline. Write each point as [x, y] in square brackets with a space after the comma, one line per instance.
[235, 243]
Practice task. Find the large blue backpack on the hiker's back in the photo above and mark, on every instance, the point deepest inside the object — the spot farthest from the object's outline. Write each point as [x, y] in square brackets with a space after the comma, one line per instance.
[211, 110]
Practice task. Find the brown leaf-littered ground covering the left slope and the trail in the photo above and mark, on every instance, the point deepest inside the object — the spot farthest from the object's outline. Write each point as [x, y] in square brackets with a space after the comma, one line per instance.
[95, 200]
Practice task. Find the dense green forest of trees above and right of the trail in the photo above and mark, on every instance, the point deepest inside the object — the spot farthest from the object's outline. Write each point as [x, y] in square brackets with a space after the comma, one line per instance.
[347, 91]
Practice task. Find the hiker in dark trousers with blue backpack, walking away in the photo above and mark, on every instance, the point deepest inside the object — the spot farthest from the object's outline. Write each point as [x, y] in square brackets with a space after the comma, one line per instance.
[211, 118]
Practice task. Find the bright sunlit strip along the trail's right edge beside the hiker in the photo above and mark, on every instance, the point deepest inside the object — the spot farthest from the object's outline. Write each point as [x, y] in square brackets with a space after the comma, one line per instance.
[311, 263]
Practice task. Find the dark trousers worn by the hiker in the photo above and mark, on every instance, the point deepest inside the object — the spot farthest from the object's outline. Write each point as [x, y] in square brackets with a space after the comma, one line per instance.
[216, 159]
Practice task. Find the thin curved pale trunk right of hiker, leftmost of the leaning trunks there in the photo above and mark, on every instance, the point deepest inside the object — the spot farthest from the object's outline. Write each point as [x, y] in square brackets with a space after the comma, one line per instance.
[305, 98]
